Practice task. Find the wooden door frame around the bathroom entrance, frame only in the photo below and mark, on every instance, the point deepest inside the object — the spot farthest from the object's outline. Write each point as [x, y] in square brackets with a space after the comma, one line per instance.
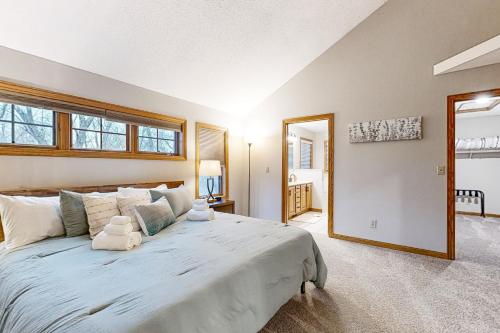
[284, 164]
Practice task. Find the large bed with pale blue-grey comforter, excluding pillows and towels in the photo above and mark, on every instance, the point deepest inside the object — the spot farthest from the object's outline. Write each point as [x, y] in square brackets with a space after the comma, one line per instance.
[227, 275]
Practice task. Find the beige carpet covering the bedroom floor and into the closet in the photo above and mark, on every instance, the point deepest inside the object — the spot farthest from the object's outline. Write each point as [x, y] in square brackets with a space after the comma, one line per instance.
[376, 290]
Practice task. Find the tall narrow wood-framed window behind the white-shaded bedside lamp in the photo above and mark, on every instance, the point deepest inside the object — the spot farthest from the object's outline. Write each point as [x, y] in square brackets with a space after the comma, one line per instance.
[211, 144]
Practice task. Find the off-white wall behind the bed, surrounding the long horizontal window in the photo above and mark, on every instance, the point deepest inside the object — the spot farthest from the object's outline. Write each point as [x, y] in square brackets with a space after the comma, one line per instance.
[19, 172]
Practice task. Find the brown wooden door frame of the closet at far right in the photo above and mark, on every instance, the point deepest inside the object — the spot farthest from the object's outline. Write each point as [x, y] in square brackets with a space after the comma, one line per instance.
[450, 205]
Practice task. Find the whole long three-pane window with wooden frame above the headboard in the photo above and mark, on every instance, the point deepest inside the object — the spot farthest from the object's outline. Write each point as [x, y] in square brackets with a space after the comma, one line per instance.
[36, 122]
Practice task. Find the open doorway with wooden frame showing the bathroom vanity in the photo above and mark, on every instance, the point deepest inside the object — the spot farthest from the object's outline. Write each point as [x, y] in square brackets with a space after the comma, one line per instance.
[307, 173]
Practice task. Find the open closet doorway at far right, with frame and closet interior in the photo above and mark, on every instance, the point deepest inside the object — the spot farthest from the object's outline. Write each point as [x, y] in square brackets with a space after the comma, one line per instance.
[473, 149]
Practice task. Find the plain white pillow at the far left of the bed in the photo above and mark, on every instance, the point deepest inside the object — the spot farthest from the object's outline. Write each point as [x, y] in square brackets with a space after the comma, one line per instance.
[26, 220]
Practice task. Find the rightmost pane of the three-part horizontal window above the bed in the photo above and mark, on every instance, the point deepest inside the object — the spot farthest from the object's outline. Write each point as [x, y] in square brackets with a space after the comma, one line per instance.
[157, 140]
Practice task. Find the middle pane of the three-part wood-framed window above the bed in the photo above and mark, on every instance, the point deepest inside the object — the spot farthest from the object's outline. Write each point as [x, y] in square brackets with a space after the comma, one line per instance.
[96, 133]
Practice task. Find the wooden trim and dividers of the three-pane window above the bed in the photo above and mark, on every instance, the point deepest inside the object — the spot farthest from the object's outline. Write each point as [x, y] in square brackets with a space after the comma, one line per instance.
[62, 146]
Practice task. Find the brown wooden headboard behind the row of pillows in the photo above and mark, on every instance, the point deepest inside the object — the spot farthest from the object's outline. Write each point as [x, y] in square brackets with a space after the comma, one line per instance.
[54, 191]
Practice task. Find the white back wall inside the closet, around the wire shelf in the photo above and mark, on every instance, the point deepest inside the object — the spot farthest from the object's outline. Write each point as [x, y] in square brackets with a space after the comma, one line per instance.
[478, 174]
